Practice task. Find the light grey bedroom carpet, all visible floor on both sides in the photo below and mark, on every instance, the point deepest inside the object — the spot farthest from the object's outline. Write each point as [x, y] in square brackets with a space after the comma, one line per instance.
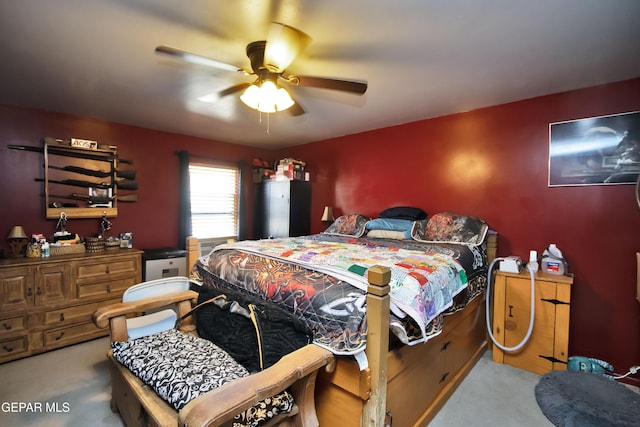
[72, 388]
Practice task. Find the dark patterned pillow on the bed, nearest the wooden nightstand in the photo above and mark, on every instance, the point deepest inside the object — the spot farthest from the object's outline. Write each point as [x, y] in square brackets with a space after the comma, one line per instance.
[447, 227]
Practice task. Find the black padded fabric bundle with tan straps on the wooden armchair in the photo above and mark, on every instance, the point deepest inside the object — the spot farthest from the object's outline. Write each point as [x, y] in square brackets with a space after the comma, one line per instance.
[255, 332]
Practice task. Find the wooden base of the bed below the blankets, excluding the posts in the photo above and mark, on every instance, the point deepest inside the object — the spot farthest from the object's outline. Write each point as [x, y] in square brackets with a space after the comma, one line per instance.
[420, 378]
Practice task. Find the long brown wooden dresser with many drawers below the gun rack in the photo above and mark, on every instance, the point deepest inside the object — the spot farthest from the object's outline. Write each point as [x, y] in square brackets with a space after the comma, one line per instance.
[47, 303]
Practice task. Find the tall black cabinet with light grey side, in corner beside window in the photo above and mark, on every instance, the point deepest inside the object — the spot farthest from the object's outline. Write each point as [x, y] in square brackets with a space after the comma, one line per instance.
[284, 209]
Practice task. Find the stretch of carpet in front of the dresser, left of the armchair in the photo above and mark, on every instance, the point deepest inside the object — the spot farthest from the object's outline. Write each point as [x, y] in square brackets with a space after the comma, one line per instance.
[69, 387]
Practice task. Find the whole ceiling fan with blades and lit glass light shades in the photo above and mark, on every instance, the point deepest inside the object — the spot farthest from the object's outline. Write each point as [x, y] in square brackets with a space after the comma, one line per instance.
[269, 61]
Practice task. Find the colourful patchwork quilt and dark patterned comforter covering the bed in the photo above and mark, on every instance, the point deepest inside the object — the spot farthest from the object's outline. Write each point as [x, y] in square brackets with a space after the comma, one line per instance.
[323, 281]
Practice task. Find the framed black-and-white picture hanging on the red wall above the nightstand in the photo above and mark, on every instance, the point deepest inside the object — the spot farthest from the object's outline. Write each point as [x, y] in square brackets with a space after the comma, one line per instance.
[595, 151]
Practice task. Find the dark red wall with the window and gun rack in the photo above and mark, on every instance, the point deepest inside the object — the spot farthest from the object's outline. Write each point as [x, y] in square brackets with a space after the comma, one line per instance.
[153, 219]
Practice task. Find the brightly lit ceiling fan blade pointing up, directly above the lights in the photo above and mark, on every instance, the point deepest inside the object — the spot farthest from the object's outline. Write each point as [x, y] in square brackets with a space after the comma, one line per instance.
[284, 43]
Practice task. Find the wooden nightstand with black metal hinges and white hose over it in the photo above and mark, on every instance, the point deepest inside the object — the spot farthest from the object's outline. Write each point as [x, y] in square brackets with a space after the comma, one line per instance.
[547, 348]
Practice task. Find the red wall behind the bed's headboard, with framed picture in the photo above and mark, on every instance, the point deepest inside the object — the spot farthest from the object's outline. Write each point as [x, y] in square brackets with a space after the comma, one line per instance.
[493, 163]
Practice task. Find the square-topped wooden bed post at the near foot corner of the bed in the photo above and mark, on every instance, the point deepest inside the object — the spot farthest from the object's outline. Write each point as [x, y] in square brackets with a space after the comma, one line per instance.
[375, 408]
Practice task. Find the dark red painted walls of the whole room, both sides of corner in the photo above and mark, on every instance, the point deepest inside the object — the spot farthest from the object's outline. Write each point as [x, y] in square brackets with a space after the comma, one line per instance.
[490, 162]
